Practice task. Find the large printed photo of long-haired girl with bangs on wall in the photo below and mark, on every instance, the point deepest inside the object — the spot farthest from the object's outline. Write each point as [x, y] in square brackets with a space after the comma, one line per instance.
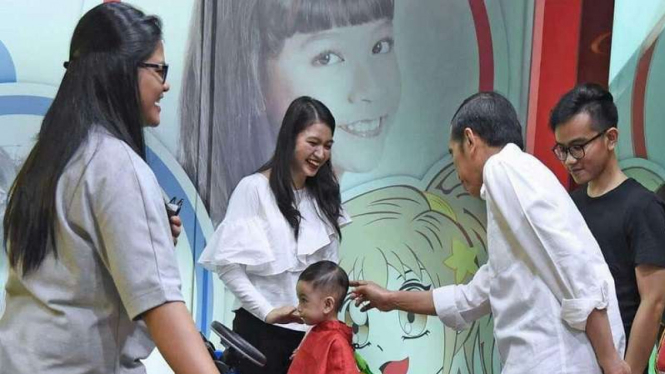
[249, 59]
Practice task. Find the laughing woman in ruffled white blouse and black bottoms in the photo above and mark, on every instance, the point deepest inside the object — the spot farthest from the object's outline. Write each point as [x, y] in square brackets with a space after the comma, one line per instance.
[280, 220]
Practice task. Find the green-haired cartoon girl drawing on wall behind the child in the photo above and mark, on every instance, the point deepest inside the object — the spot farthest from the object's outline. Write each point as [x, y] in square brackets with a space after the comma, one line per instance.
[406, 239]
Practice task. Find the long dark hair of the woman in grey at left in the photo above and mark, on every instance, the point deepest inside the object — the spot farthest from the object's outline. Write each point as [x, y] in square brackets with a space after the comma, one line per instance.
[100, 87]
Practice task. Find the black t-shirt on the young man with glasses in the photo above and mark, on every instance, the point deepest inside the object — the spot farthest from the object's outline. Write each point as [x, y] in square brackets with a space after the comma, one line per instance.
[629, 225]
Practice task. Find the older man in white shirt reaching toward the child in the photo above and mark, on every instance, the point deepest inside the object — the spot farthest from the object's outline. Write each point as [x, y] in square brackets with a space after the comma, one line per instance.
[546, 283]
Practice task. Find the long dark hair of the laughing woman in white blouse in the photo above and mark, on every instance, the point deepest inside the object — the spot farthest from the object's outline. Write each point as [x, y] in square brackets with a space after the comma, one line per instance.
[324, 187]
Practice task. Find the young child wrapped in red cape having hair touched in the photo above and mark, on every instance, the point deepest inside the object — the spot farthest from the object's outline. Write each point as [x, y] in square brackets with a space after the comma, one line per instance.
[326, 349]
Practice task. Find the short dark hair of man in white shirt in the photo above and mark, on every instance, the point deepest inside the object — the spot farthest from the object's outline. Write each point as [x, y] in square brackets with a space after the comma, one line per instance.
[491, 117]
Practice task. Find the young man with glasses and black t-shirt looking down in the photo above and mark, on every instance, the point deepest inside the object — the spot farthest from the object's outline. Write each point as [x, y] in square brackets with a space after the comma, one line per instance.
[627, 220]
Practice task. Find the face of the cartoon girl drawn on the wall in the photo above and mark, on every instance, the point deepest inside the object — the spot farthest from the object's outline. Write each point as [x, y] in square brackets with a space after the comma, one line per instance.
[397, 342]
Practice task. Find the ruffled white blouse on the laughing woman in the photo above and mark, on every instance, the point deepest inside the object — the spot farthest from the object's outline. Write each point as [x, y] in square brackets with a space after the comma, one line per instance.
[255, 252]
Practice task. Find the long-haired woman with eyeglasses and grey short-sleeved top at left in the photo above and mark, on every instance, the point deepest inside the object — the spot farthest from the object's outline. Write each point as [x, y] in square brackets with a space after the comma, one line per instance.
[93, 283]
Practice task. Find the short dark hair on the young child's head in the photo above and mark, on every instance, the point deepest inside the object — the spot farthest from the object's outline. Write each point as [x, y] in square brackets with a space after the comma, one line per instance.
[329, 277]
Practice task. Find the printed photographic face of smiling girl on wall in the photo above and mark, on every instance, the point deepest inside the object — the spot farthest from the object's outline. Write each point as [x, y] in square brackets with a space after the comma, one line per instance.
[353, 70]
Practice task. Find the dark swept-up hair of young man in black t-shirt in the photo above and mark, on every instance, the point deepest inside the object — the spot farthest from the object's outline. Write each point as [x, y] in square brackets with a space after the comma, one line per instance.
[588, 98]
